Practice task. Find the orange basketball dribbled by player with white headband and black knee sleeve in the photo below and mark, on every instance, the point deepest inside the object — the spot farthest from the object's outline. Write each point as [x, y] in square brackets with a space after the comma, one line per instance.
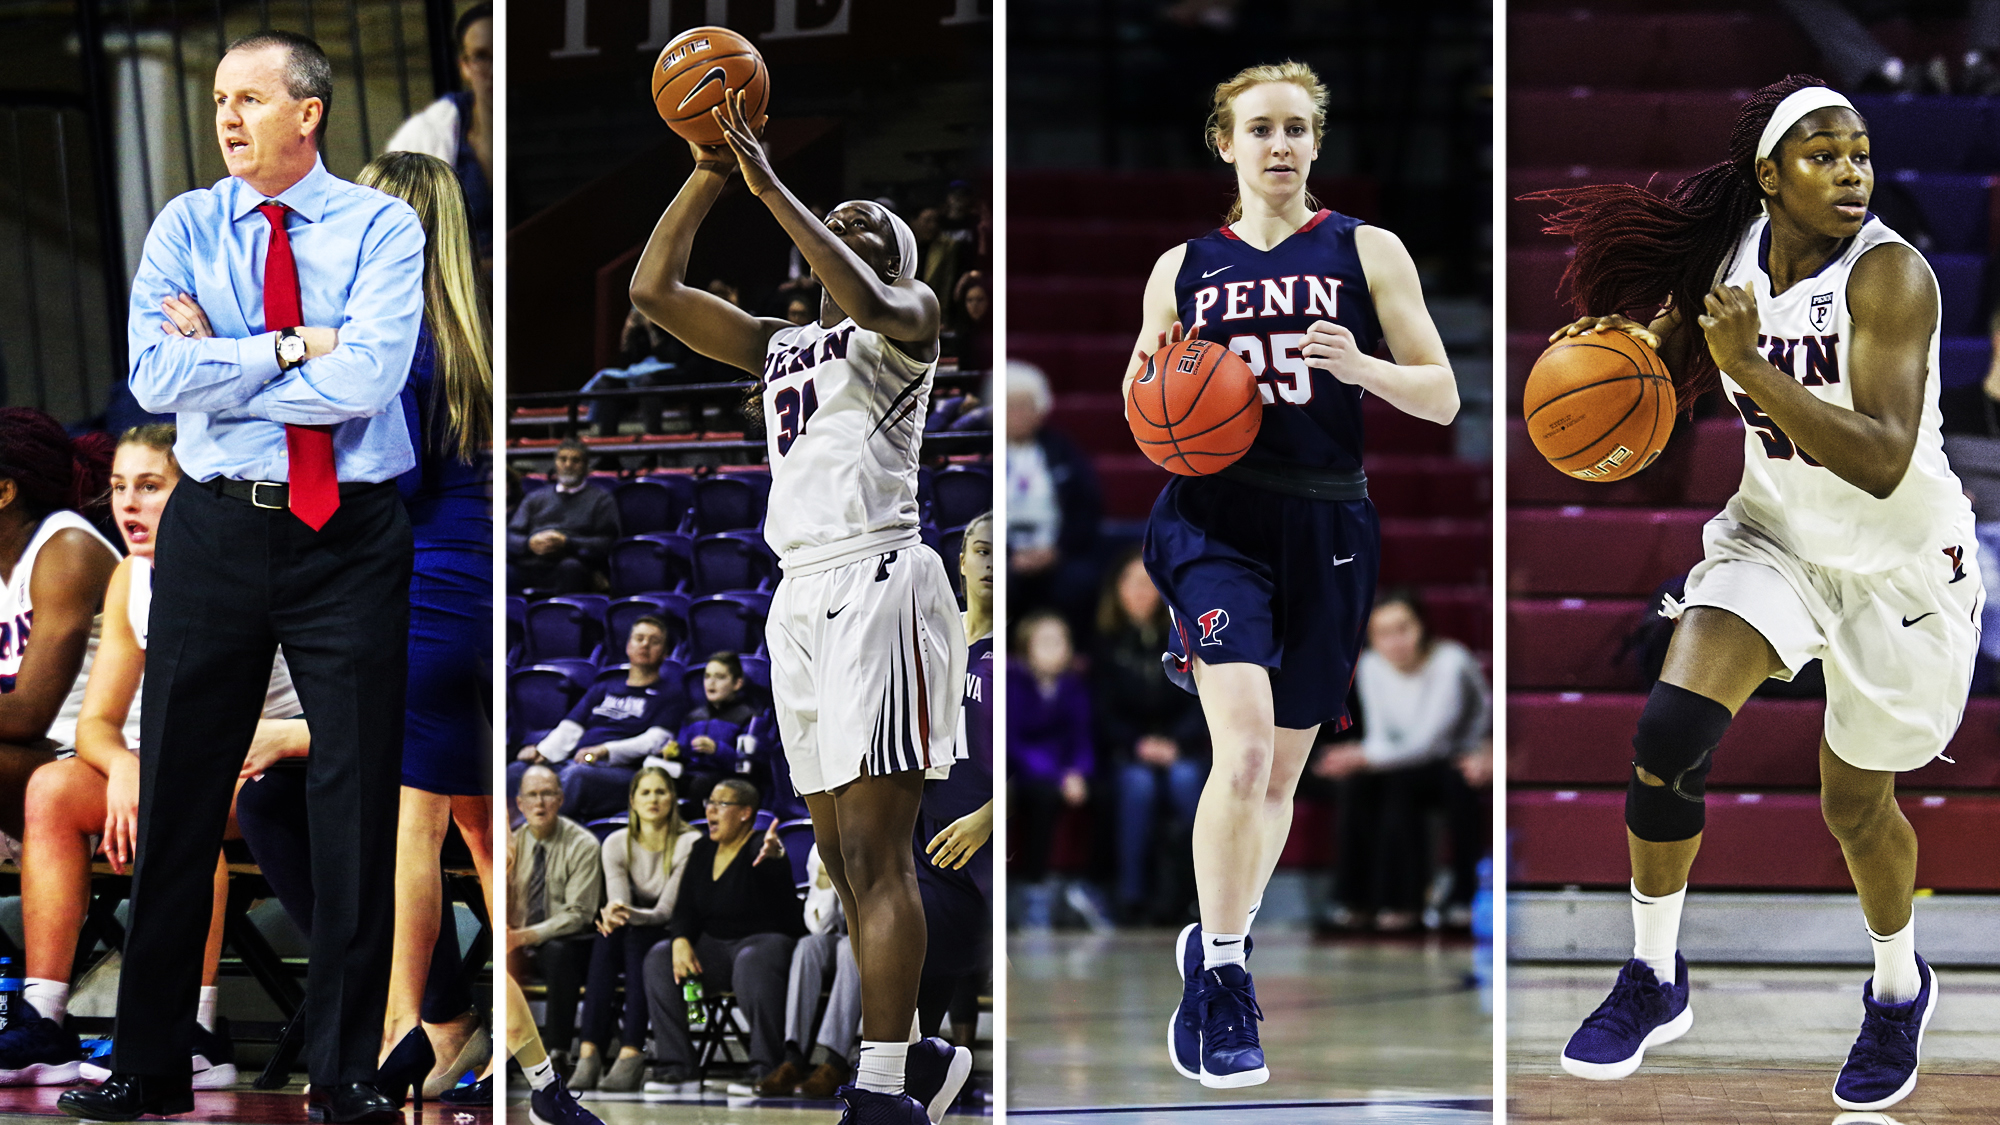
[1601, 405]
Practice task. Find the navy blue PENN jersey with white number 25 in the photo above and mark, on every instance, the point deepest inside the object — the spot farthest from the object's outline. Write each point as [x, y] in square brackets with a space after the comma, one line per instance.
[1259, 303]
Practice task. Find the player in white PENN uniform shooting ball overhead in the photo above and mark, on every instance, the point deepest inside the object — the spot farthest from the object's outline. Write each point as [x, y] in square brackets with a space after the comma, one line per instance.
[867, 652]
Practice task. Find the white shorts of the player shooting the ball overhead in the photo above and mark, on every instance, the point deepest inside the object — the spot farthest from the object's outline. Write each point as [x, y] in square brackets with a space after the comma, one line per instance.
[867, 670]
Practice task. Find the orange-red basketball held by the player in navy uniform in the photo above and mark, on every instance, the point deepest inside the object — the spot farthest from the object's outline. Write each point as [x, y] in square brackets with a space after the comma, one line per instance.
[1195, 409]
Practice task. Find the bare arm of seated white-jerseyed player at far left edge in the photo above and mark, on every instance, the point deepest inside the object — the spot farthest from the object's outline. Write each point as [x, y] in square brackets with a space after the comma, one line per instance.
[69, 588]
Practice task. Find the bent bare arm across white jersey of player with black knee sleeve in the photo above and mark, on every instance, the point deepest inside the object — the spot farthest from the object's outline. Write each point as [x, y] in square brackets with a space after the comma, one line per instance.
[1893, 305]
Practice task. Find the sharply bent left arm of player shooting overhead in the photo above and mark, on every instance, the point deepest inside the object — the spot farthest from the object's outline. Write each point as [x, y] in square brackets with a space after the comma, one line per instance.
[661, 289]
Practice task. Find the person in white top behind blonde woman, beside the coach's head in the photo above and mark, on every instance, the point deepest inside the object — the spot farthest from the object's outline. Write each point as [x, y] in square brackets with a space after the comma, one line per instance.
[459, 127]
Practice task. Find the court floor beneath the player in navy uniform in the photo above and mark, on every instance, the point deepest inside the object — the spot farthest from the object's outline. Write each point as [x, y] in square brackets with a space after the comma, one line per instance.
[1363, 1032]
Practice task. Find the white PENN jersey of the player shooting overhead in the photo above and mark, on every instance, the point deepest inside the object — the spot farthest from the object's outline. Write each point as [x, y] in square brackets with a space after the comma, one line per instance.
[845, 421]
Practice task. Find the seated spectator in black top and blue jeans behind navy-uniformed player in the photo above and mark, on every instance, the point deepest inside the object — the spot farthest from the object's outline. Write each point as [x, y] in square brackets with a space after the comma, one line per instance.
[1157, 740]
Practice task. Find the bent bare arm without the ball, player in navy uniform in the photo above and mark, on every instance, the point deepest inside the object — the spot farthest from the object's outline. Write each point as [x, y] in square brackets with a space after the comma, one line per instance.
[1419, 381]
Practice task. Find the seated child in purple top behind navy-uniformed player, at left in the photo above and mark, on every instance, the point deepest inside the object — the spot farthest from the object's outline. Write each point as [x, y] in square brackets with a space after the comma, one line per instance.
[1049, 752]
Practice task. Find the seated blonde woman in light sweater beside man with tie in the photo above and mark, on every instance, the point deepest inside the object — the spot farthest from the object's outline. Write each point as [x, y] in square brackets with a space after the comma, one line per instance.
[645, 864]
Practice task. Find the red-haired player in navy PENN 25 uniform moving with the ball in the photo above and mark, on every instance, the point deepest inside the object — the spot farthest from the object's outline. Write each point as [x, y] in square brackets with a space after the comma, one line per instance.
[1269, 566]
